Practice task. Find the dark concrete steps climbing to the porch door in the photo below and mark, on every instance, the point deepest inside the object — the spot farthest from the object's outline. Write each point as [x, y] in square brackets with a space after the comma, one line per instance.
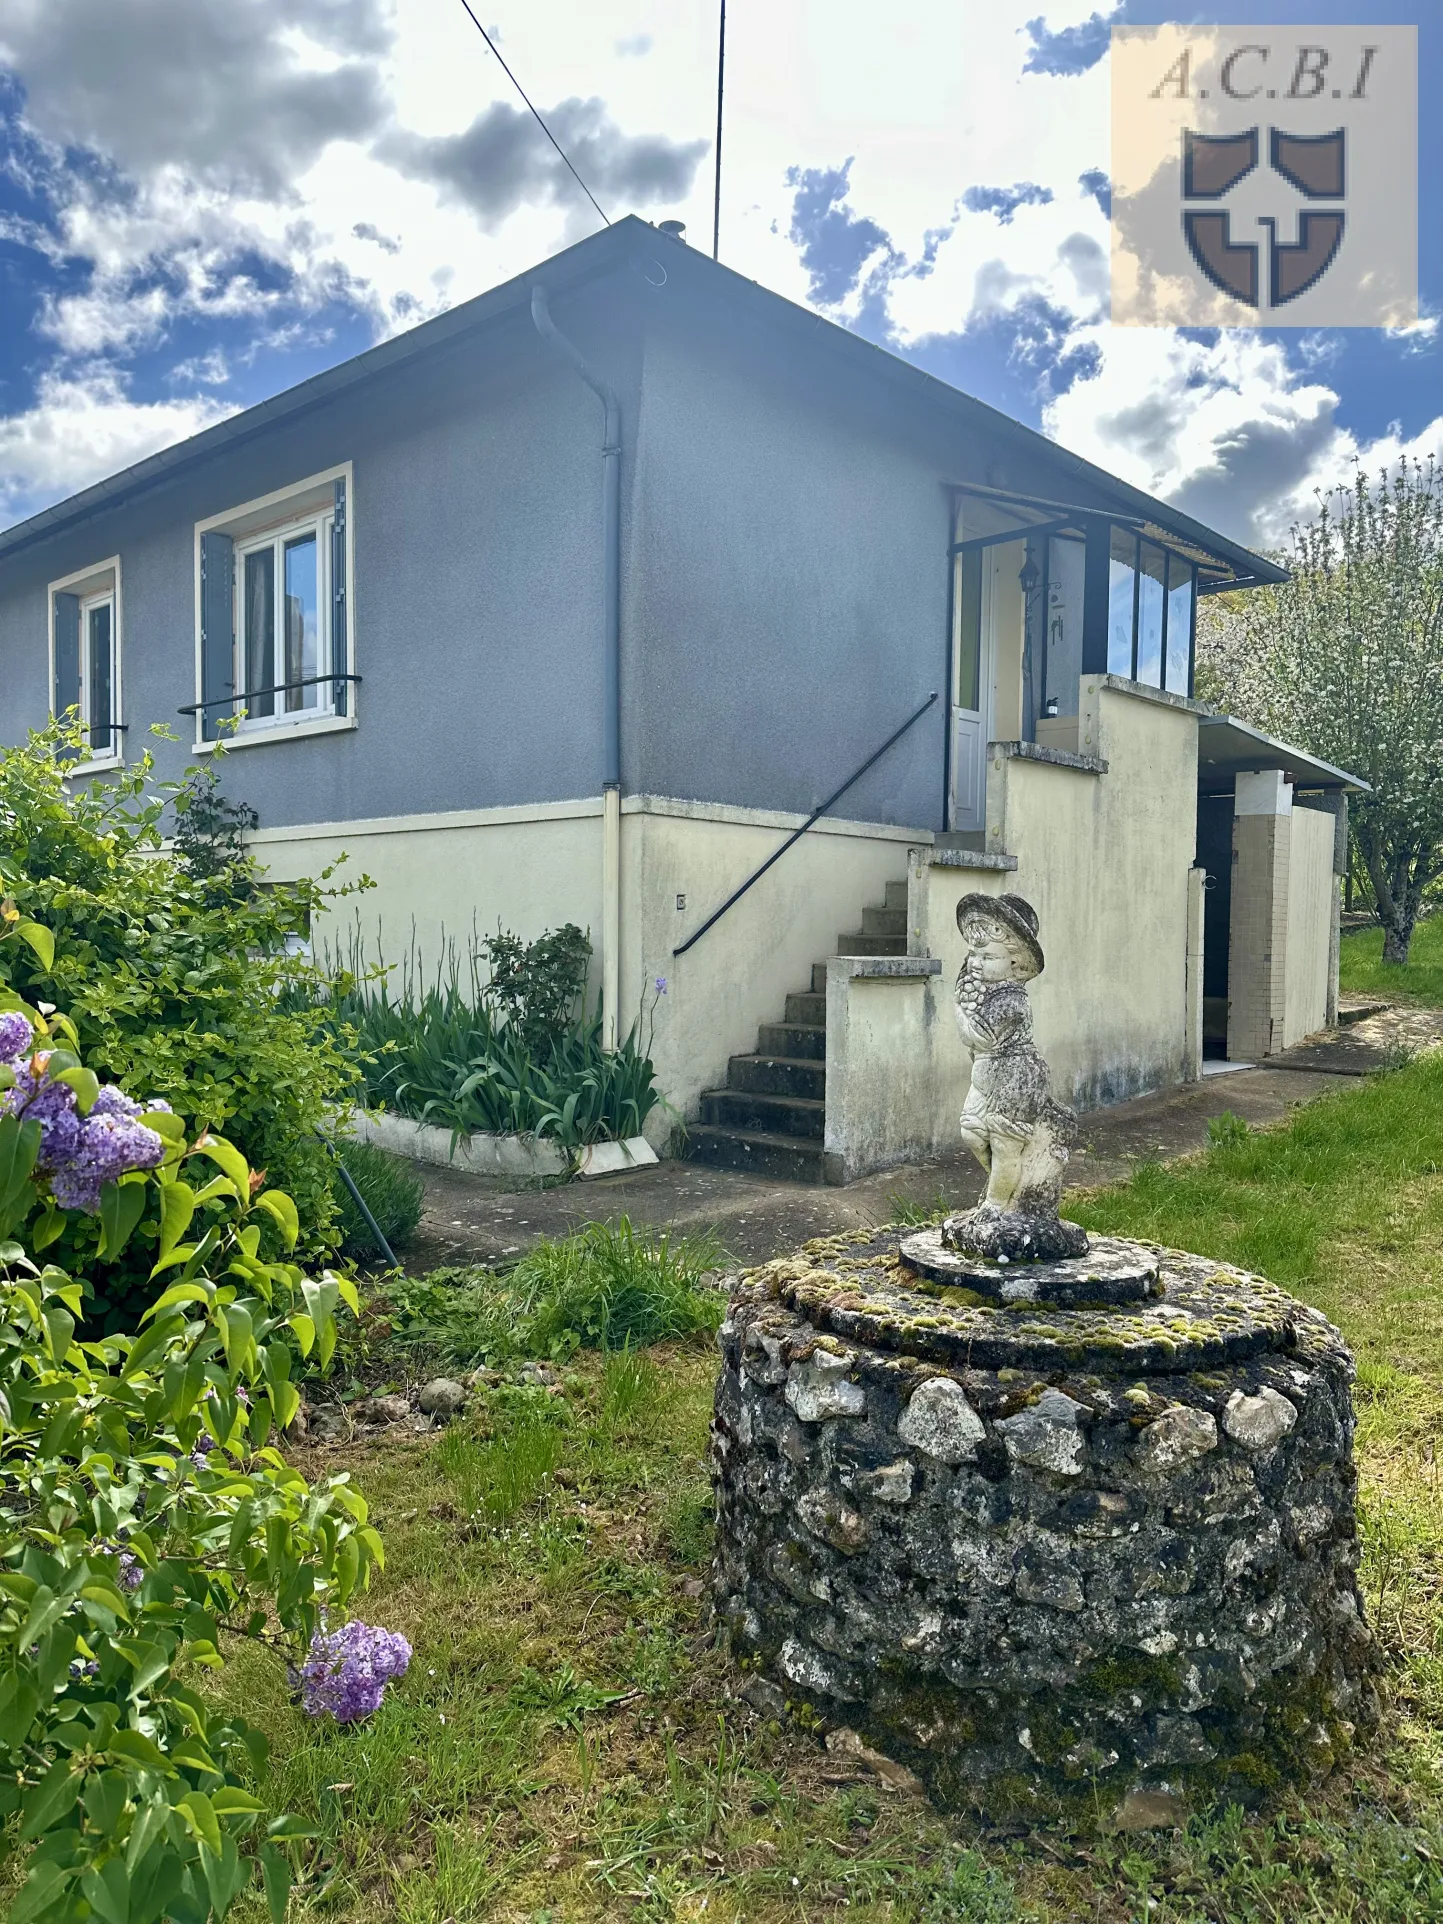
[771, 1119]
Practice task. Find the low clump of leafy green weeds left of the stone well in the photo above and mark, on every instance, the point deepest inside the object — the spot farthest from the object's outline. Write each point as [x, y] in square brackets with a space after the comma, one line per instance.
[605, 1288]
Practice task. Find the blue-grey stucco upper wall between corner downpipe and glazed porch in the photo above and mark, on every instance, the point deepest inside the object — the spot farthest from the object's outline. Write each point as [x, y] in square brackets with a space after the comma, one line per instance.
[790, 586]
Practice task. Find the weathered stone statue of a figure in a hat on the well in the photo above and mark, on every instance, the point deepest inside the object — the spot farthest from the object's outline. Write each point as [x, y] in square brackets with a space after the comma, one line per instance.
[1009, 1121]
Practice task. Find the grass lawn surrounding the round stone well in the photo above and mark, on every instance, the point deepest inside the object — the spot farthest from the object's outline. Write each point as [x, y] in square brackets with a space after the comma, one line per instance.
[565, 1746]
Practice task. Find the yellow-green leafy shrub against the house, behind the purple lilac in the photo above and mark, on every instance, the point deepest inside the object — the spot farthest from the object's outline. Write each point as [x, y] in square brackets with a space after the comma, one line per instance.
[176, 982]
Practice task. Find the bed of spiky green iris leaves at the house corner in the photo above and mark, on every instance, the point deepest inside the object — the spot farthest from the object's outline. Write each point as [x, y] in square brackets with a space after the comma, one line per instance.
[494, 1042]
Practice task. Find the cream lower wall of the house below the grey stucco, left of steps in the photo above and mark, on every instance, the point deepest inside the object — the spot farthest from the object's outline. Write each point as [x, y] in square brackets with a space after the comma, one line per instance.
[532, 871]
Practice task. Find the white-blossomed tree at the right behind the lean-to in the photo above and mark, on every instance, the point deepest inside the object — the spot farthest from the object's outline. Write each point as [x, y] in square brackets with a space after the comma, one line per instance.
[1348, 661]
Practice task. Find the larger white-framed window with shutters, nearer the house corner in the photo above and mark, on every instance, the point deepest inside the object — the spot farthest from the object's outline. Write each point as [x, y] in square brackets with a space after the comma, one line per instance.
[274, 649]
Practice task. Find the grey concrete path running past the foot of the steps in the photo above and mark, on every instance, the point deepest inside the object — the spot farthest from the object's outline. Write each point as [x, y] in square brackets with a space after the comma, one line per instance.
[472, 1219]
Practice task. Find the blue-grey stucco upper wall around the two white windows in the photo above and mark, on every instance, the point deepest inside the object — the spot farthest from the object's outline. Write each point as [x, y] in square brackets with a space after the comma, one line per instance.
[476, 515]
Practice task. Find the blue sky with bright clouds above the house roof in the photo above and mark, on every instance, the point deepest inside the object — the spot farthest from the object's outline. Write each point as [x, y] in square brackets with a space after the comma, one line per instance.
[209, 201]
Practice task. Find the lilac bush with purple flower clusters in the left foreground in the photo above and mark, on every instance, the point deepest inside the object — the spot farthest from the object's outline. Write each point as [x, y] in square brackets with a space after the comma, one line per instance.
[147, 1521]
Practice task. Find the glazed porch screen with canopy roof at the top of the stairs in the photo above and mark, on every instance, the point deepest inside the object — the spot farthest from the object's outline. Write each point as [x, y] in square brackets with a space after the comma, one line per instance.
[1109, 592]
